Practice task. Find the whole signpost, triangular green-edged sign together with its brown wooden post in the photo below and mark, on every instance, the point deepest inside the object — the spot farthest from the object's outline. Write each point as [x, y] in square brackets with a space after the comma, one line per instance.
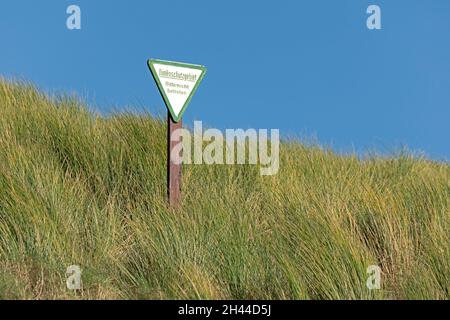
[177, 83]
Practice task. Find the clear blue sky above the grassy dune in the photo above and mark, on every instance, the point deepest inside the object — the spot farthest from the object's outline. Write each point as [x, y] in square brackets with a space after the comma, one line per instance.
[309, 68]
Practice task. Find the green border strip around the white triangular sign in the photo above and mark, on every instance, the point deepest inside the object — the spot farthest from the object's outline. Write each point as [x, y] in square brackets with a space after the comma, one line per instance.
[150, 63]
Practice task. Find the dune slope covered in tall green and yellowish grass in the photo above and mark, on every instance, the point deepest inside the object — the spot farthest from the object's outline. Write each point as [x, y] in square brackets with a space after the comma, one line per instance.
[76, 188]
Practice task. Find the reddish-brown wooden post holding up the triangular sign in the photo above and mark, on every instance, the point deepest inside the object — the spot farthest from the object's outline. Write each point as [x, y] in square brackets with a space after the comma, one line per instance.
[173, 170]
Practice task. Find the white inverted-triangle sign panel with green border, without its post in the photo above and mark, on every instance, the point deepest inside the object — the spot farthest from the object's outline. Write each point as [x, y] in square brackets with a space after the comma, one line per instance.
[177, 83]
